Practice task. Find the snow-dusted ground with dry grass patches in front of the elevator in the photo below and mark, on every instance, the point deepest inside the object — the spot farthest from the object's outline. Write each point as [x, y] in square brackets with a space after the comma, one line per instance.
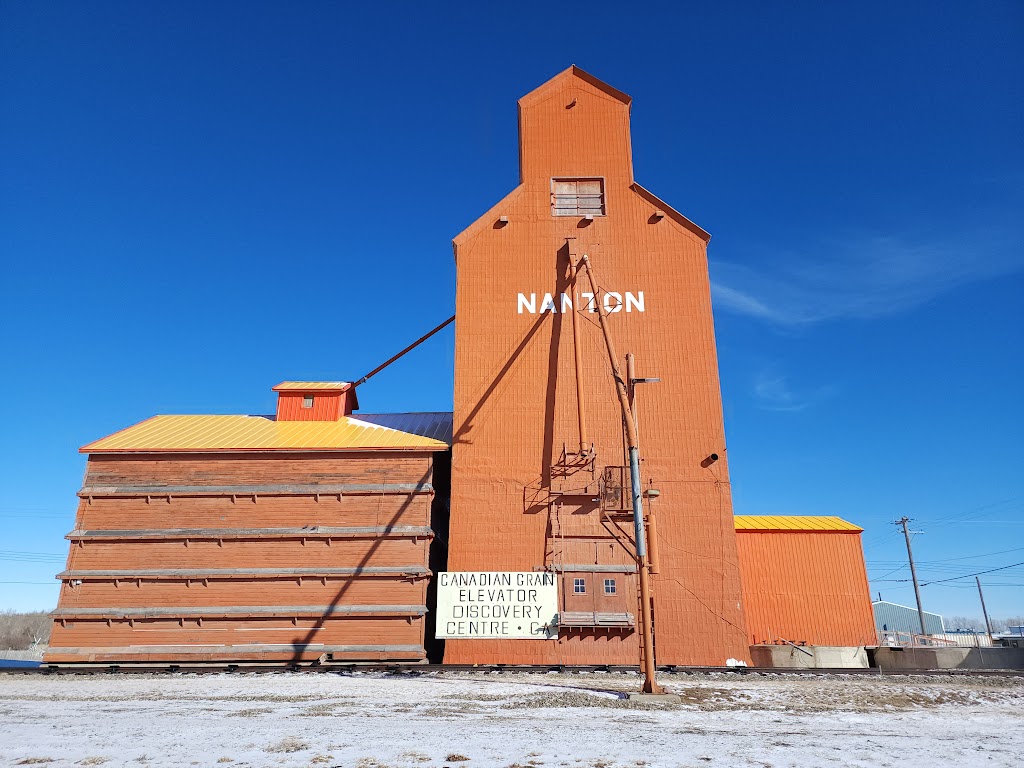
[510, 719]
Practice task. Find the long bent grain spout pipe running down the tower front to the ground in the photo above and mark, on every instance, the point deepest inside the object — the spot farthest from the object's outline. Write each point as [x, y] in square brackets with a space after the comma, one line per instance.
[648, 632]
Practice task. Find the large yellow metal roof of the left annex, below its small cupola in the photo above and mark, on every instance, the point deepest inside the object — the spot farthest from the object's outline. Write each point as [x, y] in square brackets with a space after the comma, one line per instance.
[429, 432]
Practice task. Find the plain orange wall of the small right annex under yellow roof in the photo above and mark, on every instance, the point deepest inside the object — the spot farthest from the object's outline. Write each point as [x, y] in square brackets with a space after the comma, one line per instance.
[806, 587]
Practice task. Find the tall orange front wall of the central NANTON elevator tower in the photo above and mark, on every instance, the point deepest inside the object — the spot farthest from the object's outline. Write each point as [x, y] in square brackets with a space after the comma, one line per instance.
[516, 393]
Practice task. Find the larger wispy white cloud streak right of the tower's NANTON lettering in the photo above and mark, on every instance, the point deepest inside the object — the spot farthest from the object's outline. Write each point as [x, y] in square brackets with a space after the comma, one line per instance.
[872, 278]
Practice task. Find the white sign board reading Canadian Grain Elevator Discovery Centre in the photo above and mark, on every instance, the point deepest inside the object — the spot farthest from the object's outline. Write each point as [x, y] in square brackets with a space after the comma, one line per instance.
[497, 606]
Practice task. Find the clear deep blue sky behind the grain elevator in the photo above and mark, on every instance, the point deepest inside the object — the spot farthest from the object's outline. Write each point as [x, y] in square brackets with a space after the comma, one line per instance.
[199, 200]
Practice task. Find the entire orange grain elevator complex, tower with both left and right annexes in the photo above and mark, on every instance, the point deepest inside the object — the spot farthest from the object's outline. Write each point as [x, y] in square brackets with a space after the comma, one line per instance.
[315, 535]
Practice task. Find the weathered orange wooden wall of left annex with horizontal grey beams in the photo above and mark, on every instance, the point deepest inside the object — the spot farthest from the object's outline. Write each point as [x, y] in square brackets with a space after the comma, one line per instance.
[222, 577]
